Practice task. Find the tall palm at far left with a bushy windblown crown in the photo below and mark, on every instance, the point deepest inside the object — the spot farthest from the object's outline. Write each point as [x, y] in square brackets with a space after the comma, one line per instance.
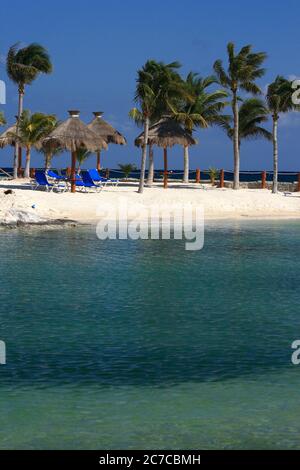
[23, 67]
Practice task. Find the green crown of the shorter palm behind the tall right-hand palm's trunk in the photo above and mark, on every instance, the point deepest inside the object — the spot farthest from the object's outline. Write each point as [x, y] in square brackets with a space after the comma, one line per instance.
[252, 113]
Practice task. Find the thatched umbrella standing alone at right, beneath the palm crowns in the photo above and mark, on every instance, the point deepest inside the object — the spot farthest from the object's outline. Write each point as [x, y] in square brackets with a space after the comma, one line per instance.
[166, 133]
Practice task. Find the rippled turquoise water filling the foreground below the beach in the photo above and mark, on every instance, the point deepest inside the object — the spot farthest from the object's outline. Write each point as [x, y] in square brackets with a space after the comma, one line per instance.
[125, 344]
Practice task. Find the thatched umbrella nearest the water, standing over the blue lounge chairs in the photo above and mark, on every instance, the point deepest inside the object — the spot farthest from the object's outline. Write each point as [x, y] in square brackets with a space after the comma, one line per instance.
[73, 135]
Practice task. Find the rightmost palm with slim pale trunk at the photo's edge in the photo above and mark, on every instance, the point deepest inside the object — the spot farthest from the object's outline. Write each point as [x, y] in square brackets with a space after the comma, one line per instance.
[279, 99]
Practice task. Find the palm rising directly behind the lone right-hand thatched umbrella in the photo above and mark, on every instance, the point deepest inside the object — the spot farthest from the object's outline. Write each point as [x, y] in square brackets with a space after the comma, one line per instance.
[199, 108]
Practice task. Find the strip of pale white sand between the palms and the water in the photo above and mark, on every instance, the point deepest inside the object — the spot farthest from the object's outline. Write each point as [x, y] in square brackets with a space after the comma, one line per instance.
[84, 207]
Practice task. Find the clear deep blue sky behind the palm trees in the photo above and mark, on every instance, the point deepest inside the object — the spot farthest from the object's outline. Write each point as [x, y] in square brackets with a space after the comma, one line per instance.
[96, 47]
